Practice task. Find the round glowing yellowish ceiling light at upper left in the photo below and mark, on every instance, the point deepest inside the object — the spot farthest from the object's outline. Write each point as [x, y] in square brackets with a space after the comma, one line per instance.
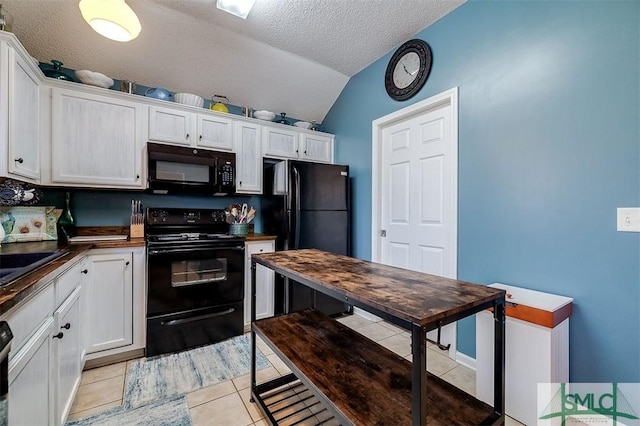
[113, 19]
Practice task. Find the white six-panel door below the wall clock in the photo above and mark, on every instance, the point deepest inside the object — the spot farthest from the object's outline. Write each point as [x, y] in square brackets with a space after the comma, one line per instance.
[417, 192]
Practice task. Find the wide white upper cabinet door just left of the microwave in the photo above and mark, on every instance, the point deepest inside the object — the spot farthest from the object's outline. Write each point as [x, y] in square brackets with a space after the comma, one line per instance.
[96, 140]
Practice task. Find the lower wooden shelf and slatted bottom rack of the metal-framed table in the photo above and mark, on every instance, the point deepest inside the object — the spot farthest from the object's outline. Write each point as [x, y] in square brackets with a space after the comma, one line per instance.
[356, 380]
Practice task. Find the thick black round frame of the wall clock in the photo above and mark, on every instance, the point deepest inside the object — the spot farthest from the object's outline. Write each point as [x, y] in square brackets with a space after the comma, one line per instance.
[422, 49]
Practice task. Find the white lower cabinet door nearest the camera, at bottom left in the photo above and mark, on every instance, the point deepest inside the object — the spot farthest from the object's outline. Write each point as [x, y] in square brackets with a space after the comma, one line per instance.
[30, 397]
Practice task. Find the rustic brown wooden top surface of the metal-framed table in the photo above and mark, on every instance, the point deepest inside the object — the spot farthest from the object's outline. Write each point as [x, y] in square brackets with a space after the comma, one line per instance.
[415, 297]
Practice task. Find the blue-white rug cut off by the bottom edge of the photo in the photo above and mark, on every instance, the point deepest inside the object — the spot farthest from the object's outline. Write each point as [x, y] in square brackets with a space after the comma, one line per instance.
[170, 412]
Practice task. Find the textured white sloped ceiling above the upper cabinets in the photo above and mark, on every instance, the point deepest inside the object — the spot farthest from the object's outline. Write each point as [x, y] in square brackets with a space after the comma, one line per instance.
[288, 55]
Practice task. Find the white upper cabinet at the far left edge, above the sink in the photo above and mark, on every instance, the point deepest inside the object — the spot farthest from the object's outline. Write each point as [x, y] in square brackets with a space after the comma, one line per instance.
[19, 113]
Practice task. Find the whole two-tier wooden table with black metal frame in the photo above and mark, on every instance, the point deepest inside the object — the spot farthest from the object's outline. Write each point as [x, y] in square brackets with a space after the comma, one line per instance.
[357, 380]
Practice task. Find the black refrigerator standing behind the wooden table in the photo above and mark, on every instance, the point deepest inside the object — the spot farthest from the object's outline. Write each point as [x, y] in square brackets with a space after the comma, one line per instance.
[307, 205]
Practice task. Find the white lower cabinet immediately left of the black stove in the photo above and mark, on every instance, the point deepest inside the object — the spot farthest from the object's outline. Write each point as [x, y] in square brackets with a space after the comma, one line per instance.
[114, 307]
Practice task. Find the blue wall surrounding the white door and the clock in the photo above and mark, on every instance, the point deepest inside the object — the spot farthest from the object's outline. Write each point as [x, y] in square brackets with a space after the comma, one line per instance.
[549, 143]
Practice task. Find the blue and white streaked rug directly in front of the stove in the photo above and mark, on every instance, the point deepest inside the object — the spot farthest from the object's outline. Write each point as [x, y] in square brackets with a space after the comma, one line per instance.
[165, 376]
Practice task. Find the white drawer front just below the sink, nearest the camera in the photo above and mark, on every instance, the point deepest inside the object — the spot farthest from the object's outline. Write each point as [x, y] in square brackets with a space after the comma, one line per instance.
[24, 321]
